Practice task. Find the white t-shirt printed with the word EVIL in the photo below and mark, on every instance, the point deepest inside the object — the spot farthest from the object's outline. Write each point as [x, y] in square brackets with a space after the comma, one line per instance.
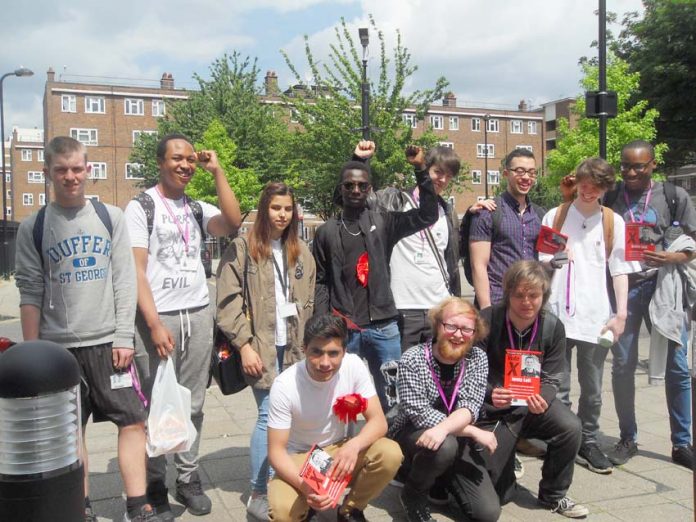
[175, 272]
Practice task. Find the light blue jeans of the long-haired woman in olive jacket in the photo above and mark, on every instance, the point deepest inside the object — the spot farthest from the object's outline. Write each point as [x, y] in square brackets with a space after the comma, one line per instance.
[258, 447]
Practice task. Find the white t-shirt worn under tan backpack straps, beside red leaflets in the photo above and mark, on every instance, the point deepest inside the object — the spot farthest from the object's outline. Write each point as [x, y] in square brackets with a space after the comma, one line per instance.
[581, 300]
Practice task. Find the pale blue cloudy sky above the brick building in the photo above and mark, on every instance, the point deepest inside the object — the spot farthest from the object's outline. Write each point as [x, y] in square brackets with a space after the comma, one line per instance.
[492, 51]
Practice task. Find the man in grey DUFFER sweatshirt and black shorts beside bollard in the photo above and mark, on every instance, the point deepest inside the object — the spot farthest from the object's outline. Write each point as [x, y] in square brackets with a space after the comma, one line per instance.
[77, 289]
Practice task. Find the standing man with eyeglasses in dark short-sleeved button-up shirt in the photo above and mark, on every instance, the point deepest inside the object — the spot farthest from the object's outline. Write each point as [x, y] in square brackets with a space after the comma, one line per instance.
[498, 238]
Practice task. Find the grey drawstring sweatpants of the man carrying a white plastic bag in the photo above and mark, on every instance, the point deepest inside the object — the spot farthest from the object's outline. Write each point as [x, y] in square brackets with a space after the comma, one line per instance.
[192, 364]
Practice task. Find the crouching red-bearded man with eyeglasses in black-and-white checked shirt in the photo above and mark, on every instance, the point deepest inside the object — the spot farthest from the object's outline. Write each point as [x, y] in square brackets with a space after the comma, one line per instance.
[441, 384]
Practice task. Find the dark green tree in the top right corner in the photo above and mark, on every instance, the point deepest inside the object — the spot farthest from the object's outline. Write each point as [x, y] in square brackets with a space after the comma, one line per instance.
[662, 48]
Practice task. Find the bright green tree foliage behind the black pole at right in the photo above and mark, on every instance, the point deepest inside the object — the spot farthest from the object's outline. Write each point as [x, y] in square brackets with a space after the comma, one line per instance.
[633, 121]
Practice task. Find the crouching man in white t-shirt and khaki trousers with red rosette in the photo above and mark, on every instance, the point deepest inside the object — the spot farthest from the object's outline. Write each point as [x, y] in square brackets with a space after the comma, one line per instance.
[301, 415]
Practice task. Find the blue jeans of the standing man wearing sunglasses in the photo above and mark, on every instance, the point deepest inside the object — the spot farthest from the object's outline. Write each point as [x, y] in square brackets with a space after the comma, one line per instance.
[377, 344]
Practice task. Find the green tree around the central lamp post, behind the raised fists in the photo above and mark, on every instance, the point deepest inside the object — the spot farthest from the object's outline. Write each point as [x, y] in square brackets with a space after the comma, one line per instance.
[329, 114]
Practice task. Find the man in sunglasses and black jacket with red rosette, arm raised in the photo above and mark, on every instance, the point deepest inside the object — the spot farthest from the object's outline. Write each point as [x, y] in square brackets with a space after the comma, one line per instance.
[352, 252]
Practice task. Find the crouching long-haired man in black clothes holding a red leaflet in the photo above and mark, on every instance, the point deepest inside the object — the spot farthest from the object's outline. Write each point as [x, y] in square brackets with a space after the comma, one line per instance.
[520, 323]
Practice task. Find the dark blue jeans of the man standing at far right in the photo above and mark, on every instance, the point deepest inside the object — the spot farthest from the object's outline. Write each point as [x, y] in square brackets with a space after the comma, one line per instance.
[677, 378]
